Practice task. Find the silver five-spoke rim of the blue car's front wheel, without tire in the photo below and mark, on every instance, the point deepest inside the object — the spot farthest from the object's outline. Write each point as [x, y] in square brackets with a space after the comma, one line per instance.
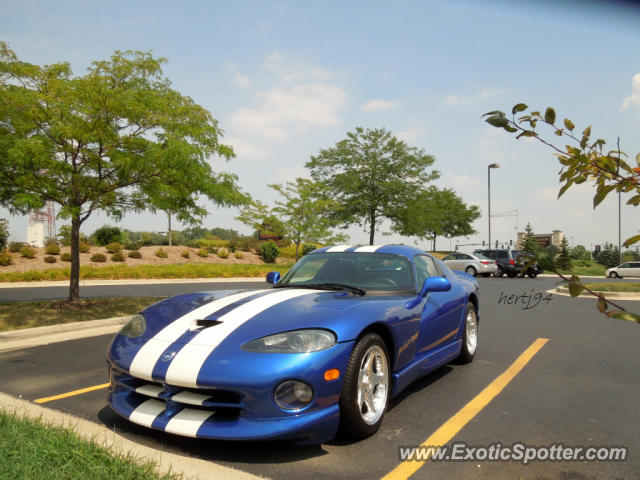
[373, 384]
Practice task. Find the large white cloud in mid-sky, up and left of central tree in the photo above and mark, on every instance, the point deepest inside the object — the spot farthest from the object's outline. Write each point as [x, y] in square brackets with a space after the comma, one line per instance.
[298, 99]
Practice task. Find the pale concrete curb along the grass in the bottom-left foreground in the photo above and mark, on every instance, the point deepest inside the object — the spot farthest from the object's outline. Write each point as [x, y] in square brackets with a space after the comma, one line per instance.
[192, 468]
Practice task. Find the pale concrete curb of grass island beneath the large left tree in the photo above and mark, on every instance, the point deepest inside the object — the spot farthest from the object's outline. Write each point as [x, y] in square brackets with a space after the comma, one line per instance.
[33, 337]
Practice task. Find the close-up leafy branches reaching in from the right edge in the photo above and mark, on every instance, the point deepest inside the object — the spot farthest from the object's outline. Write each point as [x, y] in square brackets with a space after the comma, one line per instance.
[582, 159]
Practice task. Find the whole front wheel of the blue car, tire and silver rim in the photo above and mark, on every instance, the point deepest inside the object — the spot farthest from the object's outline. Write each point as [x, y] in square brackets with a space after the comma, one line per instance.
[365, 391]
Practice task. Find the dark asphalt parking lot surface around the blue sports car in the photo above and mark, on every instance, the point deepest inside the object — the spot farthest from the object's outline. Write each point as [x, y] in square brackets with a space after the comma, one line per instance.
[579, 389]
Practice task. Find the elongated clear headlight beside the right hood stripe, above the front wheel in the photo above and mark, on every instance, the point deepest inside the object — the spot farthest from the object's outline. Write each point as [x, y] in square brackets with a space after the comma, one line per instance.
[297, 341]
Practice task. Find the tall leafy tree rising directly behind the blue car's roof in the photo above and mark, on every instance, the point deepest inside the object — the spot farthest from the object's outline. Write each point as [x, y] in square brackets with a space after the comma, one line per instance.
[370, 174]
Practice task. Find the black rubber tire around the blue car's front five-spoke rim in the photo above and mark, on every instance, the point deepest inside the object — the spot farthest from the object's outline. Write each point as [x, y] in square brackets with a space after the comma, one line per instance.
[352, 421]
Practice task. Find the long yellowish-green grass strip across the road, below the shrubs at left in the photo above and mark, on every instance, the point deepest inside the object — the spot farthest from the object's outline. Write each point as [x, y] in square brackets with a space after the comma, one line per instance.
[115, 272]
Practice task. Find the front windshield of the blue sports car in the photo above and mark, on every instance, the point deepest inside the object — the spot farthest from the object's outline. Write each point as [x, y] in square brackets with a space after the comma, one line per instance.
[367, 271]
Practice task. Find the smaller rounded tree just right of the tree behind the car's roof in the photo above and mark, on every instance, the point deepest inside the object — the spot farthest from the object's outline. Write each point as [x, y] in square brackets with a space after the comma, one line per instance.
[432, 213]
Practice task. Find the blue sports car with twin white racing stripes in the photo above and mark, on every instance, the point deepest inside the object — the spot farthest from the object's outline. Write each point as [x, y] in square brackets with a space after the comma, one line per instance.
[323, 350]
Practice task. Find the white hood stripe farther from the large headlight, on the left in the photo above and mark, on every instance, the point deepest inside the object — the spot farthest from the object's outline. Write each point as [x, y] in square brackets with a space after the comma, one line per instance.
[146, 358]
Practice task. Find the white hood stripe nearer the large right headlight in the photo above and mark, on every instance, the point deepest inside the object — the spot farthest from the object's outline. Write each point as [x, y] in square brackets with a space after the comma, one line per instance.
[186, 365]
